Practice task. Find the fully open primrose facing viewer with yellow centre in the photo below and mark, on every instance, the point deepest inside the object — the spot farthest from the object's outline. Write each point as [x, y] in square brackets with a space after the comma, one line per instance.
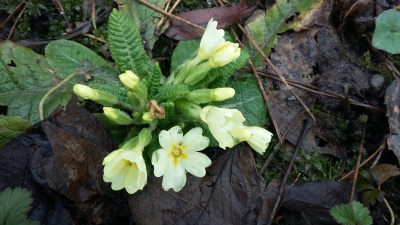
[180, 153]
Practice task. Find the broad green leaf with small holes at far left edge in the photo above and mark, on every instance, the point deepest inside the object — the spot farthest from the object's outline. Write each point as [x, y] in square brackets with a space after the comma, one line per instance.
[25, 77]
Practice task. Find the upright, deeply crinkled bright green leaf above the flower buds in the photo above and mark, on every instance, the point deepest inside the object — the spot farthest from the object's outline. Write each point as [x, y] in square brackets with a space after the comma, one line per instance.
[126, 45]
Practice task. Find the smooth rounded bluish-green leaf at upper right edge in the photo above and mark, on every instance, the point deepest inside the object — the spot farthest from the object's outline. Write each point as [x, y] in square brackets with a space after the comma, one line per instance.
[387, 32]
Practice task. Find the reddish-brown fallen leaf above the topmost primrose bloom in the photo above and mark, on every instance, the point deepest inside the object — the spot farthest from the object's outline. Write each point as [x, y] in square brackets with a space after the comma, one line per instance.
[225, 15]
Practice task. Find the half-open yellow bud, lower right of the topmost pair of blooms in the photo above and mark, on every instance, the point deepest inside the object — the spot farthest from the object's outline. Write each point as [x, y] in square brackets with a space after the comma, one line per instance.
[224, 54]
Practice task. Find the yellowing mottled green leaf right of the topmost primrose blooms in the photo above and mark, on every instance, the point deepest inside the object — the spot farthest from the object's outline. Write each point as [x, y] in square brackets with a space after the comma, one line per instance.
[264, 27]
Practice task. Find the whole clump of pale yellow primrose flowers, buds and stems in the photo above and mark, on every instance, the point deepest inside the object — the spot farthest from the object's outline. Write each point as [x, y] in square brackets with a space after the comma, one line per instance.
[163, 110]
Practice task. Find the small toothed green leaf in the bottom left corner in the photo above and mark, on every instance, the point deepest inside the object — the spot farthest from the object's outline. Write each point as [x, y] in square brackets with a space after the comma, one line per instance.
[14, 206]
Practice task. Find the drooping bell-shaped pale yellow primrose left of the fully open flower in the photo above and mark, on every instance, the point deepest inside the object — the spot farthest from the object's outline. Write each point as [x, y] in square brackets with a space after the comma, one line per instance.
[125, 169]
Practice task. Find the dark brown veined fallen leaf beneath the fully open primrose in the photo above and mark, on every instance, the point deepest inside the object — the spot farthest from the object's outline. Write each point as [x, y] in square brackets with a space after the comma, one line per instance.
[231, 193]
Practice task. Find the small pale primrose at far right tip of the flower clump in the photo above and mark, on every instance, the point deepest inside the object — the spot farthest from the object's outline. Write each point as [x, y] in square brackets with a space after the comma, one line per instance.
[260, 139]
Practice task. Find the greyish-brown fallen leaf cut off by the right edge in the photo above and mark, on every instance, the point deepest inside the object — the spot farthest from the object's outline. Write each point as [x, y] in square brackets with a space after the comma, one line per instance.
[392, 100]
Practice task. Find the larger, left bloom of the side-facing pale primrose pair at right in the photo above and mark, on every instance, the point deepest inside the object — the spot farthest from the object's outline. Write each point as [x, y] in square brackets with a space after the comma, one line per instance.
[226, 125]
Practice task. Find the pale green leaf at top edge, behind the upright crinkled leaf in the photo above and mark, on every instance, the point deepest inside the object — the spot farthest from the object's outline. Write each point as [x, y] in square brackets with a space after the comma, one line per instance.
[145, 18]
